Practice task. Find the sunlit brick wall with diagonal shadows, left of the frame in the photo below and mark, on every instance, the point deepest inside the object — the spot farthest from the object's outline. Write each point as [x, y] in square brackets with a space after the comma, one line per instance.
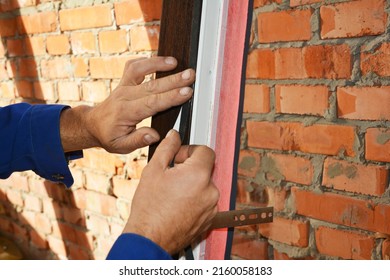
[61, 52]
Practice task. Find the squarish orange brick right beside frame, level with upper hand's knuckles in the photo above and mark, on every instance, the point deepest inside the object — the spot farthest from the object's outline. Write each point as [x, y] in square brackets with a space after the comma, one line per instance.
[257, 99]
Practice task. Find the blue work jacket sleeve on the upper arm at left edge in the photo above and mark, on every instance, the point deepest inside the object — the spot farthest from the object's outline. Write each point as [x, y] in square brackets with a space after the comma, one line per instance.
[30, 140]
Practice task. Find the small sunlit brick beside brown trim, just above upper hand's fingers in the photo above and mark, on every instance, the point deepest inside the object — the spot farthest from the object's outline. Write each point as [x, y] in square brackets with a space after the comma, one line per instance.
[144, 38]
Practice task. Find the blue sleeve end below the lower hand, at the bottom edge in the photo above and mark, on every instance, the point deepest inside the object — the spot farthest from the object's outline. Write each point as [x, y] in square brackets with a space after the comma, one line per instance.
[130, 246]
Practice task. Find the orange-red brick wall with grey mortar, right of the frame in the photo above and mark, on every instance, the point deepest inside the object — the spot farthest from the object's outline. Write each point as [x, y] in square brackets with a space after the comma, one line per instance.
[316, 131]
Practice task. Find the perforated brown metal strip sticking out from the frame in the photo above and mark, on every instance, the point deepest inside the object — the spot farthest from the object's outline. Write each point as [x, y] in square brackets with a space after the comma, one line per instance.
[244, 217]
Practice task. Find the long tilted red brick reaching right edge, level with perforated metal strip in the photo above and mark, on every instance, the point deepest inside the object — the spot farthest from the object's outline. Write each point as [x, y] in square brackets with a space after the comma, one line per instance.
[348, 211]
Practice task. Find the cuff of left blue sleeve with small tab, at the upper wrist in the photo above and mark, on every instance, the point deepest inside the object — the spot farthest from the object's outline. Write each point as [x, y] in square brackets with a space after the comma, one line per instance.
[51, 162]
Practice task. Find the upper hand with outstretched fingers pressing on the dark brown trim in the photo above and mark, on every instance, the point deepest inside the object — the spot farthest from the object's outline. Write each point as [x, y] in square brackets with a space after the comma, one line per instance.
[112, 124]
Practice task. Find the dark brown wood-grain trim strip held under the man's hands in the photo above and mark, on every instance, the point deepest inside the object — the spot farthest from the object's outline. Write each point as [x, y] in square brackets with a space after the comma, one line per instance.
[179, 37]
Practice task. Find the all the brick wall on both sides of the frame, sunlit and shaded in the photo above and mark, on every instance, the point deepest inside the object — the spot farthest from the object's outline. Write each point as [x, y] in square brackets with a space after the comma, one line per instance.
[315, 135]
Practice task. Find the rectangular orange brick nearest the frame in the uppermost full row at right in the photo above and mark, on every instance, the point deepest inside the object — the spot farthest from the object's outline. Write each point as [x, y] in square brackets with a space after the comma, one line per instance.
[292, 25]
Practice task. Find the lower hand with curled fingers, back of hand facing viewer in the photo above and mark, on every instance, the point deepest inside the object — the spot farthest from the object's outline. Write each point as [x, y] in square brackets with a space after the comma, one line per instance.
[174, 205]
